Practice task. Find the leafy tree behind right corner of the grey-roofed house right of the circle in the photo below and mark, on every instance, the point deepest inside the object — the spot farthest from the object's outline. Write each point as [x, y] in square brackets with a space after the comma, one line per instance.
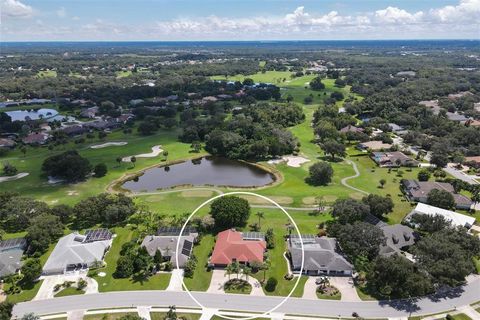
[358, 239]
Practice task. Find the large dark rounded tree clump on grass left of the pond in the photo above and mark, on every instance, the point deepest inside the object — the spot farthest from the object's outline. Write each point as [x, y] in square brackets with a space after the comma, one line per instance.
[69, 166]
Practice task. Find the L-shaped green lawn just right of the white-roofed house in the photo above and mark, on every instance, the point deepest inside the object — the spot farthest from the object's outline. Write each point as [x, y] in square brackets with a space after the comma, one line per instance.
[109, 283]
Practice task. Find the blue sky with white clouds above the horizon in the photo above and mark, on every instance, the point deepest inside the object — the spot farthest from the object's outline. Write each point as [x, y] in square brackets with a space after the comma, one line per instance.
[197, 20]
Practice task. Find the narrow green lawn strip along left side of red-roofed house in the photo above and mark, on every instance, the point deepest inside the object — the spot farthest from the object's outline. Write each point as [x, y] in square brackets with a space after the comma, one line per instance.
[201, 277]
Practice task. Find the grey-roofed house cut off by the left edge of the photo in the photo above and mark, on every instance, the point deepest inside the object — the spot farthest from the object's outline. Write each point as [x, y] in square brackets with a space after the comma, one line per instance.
[11, 252]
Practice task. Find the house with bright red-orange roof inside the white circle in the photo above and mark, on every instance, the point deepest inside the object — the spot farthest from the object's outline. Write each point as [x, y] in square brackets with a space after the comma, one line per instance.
[232, 245]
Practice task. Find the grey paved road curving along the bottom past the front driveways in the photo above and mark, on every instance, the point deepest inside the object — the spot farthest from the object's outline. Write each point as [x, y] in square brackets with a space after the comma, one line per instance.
[468, 294]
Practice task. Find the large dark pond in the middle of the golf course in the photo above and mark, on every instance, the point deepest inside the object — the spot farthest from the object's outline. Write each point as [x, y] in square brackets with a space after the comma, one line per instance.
[212, 171]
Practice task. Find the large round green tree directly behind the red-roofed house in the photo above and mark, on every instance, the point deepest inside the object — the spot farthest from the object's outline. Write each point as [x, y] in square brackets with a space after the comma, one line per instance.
[230, 211]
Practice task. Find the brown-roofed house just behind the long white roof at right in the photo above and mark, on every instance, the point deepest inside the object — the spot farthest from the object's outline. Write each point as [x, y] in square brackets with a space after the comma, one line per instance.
[418, 191]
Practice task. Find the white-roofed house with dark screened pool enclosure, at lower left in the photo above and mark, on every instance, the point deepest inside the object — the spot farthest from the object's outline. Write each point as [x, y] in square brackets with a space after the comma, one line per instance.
[76, 252]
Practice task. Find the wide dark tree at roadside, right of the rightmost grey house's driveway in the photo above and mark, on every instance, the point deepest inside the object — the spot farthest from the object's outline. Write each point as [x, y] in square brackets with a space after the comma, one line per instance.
[397, 277]
